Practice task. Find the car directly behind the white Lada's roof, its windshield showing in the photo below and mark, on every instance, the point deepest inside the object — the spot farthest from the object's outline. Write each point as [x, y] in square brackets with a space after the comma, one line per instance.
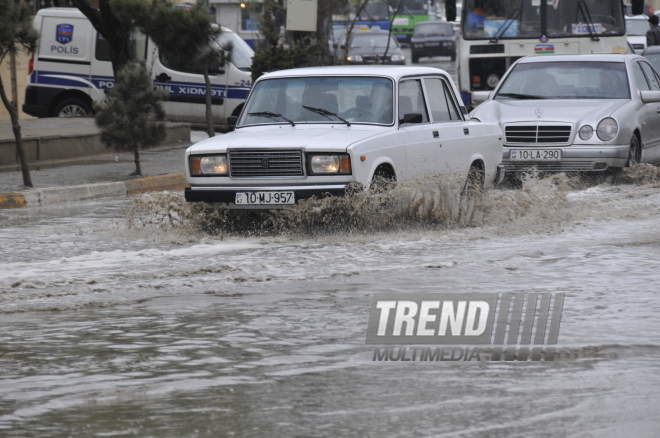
[368, 46]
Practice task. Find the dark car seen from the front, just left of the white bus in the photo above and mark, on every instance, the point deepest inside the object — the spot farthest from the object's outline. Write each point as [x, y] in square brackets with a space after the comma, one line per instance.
[433, 38]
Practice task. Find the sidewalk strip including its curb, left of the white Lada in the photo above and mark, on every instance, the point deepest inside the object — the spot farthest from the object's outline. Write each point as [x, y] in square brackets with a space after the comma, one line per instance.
[96, 176]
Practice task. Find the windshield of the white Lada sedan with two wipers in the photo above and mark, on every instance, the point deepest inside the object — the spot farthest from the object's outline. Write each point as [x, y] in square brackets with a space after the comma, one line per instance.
[288, 100]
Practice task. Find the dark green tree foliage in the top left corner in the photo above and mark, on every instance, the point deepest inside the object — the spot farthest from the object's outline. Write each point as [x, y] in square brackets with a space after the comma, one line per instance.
[16, 28]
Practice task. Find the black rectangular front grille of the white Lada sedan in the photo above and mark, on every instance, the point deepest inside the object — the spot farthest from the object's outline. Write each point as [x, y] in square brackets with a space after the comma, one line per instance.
[245, 164]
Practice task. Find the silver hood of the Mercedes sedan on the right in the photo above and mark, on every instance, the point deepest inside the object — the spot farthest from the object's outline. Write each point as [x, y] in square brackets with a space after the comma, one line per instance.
[575, 111]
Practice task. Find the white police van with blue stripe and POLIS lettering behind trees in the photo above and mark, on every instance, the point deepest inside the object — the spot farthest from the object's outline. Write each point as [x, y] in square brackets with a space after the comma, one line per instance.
[72, 68]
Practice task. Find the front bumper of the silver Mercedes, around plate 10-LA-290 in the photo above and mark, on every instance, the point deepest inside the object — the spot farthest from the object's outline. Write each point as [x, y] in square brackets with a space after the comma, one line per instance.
[596, 158]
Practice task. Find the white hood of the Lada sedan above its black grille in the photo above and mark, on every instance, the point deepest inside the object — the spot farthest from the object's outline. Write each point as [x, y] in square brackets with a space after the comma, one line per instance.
[310, 138]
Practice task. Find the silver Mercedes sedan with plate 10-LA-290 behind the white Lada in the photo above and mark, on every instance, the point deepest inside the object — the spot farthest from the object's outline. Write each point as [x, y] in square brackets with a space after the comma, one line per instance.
[582, 113]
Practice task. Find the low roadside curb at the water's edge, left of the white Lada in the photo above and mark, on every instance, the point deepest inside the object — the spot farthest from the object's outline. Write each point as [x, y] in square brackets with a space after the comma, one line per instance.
[53, 195]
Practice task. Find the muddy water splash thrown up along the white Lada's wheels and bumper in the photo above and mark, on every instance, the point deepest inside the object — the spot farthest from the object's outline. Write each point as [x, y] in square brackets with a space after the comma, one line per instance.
[422, 205]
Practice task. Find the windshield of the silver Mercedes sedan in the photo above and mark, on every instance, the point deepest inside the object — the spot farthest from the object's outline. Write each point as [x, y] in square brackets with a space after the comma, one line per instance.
[566, 80]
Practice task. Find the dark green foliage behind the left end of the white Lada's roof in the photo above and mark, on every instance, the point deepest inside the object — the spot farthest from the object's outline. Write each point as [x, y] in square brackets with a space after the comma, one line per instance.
[272, 55]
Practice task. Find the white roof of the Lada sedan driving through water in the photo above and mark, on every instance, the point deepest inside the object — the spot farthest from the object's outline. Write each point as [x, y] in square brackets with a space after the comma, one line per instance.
[391, 71]
